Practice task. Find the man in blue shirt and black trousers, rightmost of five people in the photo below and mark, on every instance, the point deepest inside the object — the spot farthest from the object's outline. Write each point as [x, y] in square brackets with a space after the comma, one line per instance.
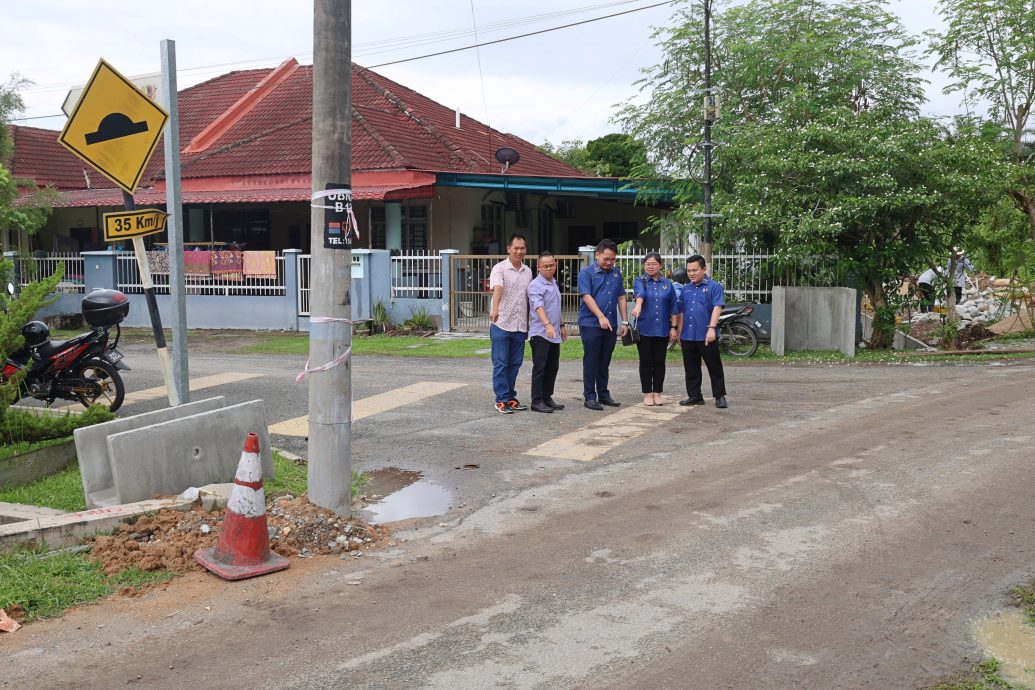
[700, 306]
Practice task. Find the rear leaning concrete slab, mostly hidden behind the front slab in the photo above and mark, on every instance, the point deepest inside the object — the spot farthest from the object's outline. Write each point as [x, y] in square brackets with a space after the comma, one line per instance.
[92, 446]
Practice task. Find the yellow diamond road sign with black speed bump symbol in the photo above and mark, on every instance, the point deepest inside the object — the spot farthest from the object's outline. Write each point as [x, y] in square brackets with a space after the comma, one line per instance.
[114, 128]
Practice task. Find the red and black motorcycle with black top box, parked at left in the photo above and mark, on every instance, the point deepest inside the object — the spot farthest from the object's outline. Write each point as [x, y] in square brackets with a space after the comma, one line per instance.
[84, 369]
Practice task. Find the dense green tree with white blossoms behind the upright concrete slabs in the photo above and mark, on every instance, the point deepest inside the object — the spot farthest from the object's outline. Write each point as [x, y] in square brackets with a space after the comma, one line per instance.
[876, 193]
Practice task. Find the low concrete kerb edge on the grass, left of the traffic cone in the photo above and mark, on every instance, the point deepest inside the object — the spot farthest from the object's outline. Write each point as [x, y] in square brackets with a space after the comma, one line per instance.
[70, 529]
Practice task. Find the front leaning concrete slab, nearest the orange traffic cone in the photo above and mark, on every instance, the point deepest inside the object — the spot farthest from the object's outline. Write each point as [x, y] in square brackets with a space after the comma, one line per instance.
[166, 459]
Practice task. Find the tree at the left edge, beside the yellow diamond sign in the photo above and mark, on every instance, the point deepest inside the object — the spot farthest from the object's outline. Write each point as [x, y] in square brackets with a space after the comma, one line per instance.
[29, 214]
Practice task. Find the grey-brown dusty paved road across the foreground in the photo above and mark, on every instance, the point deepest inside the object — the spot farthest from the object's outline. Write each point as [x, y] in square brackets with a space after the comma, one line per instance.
[838, 527]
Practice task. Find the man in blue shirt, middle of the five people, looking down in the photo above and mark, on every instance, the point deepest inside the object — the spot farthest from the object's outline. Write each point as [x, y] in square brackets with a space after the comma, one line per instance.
[603, 299]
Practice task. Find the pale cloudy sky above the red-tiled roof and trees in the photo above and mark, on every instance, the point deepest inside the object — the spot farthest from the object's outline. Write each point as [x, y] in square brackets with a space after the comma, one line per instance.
[556, 86]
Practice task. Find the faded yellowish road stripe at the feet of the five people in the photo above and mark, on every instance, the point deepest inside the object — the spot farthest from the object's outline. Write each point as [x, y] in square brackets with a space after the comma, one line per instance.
[601, 437]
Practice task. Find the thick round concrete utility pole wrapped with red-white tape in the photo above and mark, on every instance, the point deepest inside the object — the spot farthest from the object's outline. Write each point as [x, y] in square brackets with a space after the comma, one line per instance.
[331, 334]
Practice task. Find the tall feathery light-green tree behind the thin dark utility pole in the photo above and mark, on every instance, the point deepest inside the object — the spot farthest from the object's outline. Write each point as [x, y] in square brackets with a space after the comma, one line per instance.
[768, 54]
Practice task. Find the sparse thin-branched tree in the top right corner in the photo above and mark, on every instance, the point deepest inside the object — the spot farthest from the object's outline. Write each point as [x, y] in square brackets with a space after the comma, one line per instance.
[989, 50]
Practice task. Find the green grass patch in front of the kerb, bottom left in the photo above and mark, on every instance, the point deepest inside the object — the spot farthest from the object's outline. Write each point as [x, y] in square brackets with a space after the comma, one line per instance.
[45, 585]
